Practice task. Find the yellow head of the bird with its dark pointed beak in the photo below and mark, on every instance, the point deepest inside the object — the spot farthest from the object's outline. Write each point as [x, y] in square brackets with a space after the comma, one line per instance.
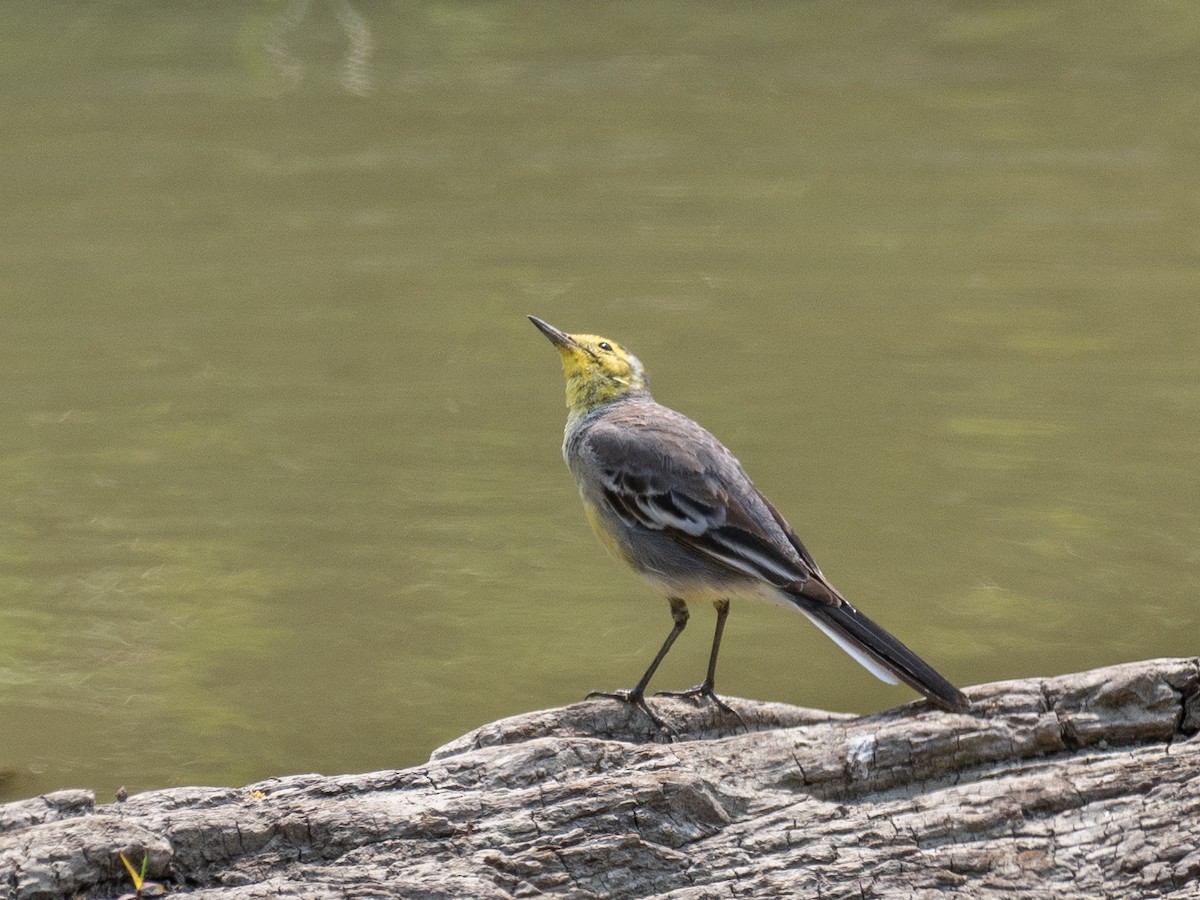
[598, 371]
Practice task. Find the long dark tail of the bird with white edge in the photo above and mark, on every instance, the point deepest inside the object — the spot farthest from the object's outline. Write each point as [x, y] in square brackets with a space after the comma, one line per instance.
[880, 653]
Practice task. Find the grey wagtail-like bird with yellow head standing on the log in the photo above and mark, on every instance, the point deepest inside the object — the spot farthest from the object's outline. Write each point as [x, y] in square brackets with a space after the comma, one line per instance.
[675, 505]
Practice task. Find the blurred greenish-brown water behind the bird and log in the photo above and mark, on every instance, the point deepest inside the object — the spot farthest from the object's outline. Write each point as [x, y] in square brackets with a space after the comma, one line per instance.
[281, 487]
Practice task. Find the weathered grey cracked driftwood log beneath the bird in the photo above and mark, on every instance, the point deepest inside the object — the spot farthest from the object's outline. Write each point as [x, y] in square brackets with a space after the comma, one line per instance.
[1078, 787]
